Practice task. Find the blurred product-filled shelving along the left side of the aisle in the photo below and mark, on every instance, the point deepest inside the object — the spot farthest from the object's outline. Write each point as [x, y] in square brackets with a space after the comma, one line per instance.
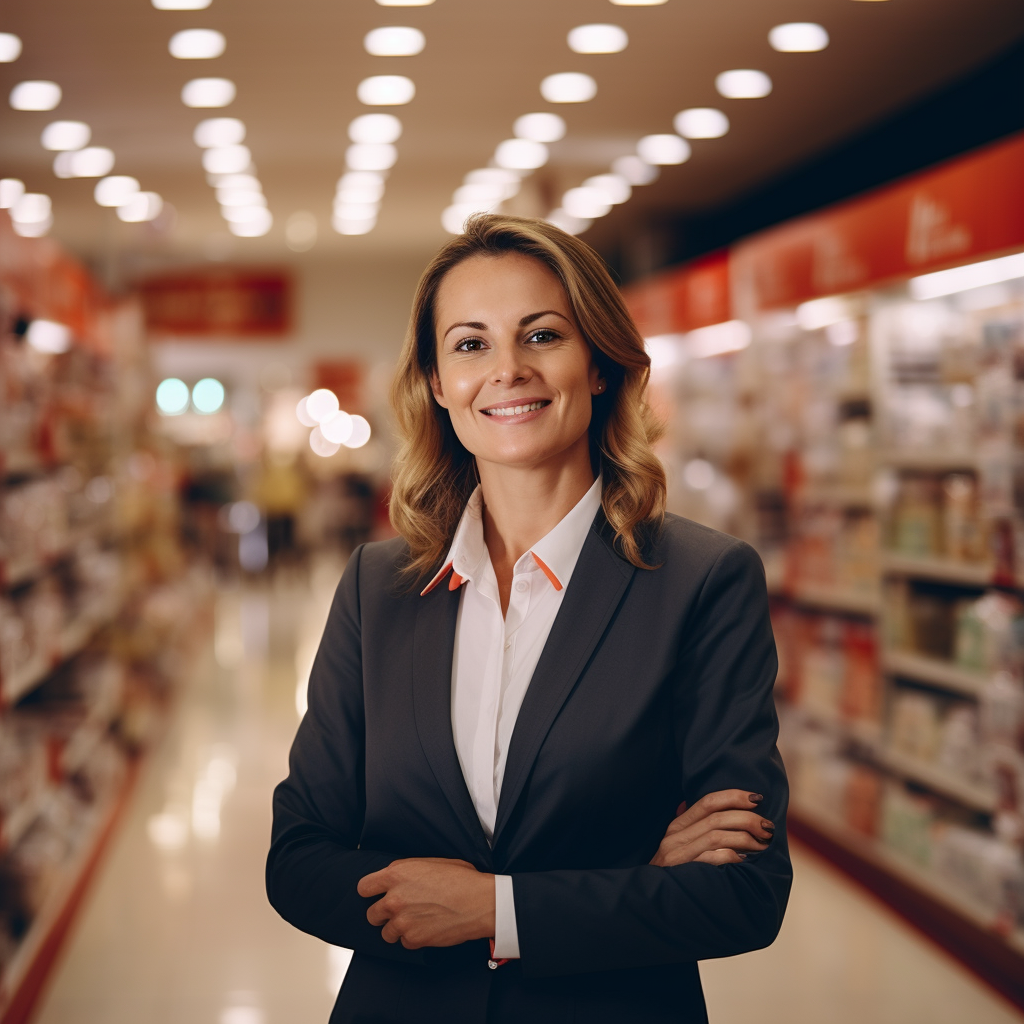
[97, 607]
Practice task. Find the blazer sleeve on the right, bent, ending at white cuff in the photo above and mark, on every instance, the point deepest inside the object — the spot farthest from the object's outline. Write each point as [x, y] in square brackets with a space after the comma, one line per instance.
[727, 727]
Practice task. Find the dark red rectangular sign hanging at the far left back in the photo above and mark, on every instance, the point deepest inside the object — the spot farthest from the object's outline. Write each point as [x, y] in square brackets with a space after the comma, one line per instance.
[222, 304]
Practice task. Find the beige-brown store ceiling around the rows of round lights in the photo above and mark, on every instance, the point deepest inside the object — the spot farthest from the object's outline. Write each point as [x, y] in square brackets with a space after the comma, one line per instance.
[297, 66]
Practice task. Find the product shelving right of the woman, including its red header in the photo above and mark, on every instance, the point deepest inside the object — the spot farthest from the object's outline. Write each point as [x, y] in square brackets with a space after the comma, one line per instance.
[864, 429]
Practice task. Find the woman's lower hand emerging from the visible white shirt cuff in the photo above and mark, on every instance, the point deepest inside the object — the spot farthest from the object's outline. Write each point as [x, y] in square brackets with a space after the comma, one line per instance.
[431, 902]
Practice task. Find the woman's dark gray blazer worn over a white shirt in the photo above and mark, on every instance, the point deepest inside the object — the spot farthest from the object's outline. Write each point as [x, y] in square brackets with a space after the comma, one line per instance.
[655, 688]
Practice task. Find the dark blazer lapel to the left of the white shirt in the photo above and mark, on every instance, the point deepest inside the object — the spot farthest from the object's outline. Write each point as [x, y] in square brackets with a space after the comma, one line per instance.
[434, 651]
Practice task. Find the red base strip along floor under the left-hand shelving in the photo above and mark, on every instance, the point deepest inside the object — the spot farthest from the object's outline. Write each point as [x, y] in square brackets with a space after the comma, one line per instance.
[24, 975]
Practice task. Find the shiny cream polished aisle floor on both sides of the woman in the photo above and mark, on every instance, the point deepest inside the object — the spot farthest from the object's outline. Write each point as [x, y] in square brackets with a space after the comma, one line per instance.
[177, 929]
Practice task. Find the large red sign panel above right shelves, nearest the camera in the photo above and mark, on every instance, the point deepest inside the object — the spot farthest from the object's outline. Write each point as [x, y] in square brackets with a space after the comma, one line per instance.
[968, 208]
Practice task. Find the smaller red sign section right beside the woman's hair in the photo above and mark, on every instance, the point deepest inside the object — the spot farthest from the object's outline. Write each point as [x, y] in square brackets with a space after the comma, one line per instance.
[685, 298]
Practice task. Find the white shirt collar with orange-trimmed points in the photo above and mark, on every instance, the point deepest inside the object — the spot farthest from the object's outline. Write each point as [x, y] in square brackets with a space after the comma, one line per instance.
[556, 554]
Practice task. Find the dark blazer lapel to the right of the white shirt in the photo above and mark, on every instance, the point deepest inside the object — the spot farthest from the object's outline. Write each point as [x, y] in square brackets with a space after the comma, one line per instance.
[598, 586]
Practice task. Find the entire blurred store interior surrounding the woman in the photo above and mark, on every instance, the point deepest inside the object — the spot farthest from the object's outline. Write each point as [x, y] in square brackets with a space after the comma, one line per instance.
[212, 219]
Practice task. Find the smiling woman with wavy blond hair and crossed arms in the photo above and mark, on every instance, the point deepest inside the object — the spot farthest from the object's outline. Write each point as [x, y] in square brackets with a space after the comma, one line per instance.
[513, 703]
